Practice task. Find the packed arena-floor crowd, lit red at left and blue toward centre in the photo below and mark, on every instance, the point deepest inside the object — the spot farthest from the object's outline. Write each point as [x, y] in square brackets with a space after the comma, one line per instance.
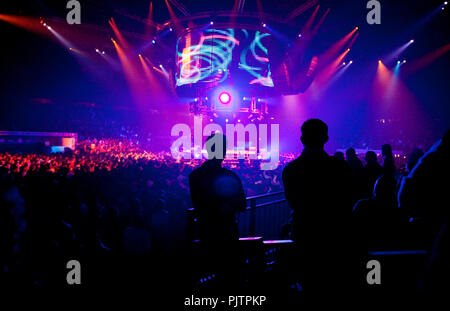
[101, 196]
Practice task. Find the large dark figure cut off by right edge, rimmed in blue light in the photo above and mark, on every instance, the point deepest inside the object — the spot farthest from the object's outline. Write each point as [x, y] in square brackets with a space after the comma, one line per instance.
[423, 195]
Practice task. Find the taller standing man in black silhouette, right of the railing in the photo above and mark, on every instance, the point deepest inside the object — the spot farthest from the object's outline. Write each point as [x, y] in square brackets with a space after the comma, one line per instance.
[319, 190]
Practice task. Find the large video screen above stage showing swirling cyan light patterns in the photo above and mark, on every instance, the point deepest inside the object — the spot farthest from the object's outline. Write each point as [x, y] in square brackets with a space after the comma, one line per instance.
[218, 55]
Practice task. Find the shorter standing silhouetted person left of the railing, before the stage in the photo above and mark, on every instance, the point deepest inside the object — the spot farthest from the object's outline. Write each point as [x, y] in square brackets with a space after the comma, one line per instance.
[217, 195]
